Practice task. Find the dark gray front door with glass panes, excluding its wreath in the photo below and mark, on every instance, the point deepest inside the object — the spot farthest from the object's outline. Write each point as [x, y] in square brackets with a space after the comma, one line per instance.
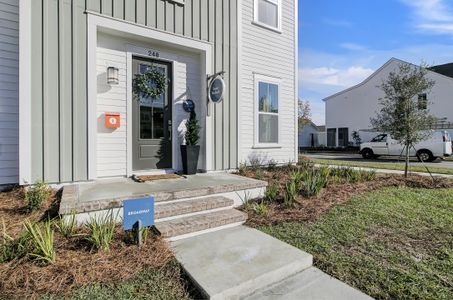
[151, 117]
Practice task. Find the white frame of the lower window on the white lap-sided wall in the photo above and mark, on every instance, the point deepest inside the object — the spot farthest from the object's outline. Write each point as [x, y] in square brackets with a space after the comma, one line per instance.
[269, 80]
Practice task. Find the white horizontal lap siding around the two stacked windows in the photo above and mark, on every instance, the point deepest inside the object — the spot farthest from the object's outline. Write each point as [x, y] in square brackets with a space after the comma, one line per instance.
[267, 53]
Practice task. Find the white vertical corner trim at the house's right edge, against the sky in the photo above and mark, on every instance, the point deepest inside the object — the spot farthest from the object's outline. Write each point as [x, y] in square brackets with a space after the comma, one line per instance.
[296, 80]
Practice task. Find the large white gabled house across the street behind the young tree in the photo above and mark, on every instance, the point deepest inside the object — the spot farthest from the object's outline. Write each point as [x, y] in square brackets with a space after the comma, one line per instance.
[352, 109]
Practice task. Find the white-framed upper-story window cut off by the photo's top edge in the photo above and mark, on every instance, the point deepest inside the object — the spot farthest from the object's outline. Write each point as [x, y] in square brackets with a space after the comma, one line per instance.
[268, 13]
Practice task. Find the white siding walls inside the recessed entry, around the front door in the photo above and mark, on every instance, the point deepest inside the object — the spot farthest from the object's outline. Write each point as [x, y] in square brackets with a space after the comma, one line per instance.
[111, 148]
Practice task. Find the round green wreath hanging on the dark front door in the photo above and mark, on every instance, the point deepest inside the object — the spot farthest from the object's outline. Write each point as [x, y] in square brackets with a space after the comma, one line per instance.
[142, 86]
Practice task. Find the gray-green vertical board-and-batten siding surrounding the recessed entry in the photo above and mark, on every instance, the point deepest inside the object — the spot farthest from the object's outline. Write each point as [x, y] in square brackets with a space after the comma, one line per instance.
[59, 86]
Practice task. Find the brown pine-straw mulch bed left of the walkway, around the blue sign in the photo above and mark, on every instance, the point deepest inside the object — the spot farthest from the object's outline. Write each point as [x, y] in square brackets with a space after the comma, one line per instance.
[76, 264]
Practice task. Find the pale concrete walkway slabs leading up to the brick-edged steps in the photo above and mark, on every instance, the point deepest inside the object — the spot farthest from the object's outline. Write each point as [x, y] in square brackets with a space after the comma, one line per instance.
[244, 263]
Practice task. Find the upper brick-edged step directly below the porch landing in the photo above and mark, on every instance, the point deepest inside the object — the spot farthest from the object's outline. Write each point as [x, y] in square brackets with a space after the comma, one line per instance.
[167, 211]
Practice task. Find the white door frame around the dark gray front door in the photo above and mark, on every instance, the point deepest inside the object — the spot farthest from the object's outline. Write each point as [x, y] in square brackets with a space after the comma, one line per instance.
[140, 52]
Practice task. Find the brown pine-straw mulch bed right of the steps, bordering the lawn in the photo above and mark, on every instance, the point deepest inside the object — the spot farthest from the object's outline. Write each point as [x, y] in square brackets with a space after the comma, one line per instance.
[309, 209]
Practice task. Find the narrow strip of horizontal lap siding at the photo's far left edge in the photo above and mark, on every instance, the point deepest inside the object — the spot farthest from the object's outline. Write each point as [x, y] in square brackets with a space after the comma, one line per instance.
[9, 91]
